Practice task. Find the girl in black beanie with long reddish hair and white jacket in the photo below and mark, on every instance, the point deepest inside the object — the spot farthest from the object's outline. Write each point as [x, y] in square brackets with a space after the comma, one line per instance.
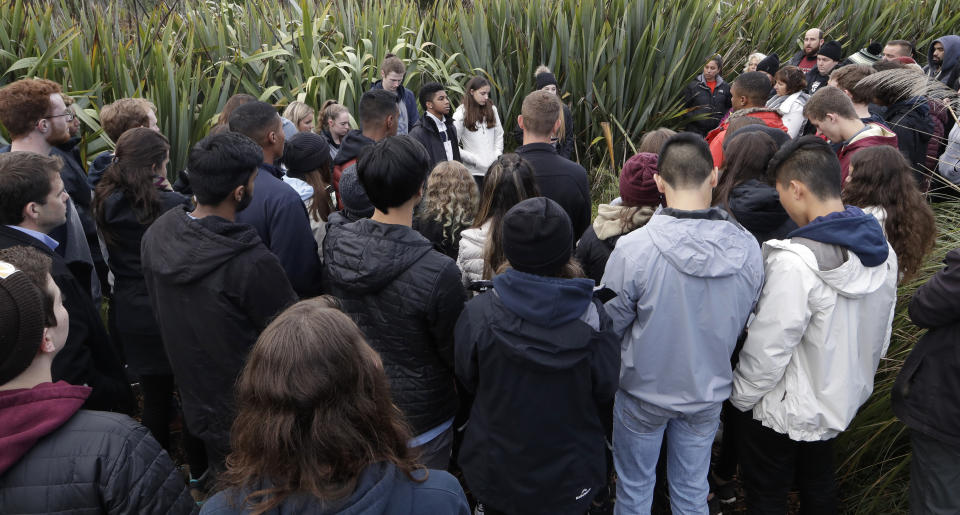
[307, 158]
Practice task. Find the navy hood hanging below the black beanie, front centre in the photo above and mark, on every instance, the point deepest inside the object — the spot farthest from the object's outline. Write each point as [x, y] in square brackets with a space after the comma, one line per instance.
[560, 300]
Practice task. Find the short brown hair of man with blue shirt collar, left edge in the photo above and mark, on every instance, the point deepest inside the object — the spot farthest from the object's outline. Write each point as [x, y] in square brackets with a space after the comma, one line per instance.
[22, 181]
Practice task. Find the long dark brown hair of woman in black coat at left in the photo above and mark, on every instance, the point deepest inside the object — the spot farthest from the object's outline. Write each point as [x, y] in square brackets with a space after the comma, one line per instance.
[136, 162]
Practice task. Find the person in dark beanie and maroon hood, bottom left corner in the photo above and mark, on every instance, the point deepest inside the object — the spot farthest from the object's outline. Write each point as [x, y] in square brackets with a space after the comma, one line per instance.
[82, 461]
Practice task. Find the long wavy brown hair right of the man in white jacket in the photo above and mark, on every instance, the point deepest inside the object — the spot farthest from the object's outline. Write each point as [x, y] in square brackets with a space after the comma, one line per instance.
[880, 176]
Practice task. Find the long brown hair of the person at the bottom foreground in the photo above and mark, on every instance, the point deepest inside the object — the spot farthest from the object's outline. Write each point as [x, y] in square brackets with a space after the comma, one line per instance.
[314, 411]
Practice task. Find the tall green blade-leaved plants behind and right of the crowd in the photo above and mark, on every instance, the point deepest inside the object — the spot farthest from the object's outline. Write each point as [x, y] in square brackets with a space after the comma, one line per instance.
[619, 62]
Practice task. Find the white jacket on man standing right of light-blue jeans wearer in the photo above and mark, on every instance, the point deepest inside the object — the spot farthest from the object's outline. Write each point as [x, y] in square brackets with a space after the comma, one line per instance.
[819, 333]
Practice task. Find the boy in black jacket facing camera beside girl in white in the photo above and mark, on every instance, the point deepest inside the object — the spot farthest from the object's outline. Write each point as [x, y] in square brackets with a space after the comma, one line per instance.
[435, 130]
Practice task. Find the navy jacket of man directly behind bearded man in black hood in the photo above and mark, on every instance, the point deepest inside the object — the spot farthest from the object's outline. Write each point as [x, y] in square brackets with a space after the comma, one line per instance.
[281, 220]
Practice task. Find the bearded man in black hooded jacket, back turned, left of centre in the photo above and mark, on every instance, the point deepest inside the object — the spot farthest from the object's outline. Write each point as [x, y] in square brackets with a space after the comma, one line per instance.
[213, 285]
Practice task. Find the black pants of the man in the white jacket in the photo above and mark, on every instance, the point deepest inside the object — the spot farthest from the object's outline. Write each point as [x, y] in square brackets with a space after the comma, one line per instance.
[770, 463]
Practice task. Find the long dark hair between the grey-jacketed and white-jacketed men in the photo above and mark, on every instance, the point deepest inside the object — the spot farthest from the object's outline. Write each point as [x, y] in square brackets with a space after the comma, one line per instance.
[745, 157]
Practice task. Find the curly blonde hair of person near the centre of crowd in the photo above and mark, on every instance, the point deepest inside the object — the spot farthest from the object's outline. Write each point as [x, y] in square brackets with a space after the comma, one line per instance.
[451, 198]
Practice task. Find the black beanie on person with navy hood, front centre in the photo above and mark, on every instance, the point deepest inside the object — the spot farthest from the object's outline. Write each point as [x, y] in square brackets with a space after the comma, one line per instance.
[537, 237]
